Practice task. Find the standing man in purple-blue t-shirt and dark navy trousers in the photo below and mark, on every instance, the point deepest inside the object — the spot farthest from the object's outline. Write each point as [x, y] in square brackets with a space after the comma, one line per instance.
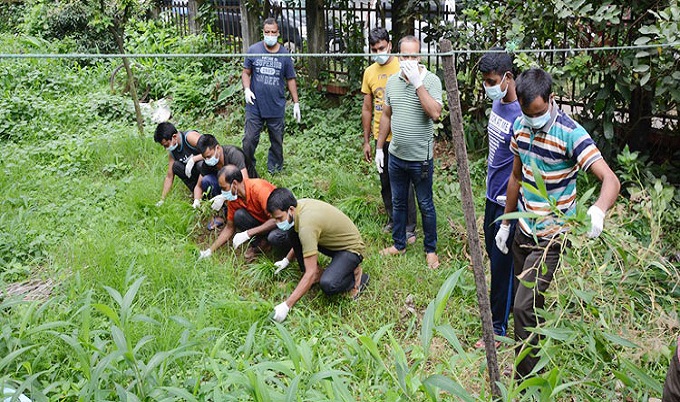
[499, 84]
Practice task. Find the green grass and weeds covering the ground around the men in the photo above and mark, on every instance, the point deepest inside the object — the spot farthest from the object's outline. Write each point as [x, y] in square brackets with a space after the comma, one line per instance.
[134, 313]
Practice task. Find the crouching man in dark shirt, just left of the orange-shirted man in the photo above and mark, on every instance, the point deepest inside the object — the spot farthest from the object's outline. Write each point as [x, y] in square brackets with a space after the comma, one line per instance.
[216, 156]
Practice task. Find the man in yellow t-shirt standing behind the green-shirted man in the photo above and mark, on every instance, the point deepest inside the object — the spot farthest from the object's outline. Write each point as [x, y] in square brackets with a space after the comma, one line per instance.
[373, 88]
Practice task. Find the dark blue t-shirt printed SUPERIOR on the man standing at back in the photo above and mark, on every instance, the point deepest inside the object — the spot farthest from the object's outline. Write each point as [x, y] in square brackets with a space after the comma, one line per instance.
[268, 81]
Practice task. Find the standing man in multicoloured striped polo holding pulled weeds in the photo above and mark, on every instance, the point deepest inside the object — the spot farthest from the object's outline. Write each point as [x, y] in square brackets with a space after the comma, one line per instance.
[547, 144]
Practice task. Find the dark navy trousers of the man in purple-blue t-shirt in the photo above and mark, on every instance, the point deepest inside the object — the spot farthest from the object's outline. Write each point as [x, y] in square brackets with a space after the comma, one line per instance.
[502, 274]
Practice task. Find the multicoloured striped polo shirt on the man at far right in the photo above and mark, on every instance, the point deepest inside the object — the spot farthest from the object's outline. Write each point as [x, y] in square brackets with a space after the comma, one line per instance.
[559, 149]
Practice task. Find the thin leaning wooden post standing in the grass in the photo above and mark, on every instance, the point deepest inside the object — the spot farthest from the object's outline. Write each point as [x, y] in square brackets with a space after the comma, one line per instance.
[456, 117]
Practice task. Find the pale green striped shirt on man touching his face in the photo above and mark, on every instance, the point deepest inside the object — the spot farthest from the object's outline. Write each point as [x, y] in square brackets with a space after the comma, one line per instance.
[412, 128]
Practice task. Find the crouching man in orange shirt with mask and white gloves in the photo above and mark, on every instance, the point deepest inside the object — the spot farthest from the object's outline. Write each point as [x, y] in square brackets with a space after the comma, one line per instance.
[246, 212]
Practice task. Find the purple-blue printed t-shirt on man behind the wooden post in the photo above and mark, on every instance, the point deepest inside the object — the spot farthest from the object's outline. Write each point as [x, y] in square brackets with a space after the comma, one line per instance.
[500, 130]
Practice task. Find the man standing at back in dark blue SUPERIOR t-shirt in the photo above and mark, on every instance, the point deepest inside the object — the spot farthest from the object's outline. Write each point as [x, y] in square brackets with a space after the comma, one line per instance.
[264, 79]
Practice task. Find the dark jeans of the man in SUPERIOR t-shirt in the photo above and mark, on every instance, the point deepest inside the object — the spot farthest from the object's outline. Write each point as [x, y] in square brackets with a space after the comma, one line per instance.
[251, 138]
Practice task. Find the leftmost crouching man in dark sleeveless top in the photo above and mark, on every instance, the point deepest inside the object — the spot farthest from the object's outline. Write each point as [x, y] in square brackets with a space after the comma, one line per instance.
[184, 158]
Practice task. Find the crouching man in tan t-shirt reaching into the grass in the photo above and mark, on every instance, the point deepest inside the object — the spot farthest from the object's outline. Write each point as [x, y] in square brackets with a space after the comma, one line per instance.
[314, 226]
